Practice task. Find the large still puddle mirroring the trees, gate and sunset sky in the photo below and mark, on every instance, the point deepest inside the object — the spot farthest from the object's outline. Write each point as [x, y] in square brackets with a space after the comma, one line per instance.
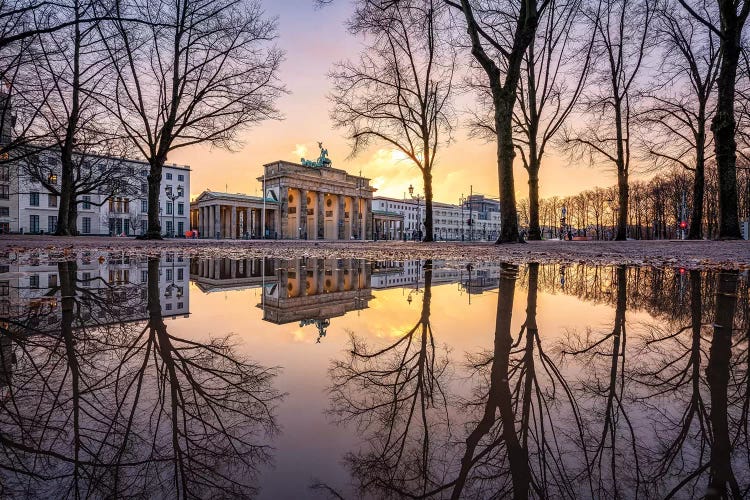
[477, 380]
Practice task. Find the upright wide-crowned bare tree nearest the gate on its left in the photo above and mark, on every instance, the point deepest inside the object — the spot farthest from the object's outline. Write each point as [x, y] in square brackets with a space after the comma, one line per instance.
[189, 72]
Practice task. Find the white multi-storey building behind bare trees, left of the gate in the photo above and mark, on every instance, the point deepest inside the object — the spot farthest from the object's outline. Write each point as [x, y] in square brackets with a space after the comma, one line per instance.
[33, 209]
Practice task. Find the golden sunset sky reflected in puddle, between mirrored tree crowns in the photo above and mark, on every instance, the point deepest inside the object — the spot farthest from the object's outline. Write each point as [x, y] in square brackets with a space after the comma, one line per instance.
[309, 446]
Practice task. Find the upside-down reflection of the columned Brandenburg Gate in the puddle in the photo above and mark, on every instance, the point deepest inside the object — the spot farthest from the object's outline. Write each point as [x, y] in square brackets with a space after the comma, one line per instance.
[316, 289]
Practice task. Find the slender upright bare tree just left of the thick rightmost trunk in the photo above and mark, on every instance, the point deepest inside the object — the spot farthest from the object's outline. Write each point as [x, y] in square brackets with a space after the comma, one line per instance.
[677, 113]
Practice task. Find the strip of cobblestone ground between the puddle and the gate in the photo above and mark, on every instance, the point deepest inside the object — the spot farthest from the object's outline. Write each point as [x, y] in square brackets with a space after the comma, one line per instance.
[687, 254]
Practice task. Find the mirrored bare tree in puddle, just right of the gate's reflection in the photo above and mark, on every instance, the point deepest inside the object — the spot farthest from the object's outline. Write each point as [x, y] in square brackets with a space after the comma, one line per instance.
[395, 395]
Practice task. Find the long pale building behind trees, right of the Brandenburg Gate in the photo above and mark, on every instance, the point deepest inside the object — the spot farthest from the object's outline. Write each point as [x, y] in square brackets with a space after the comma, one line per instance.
[450, 222]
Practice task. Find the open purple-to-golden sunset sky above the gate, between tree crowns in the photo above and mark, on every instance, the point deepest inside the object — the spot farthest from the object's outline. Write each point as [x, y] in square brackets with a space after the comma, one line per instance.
[314, 39]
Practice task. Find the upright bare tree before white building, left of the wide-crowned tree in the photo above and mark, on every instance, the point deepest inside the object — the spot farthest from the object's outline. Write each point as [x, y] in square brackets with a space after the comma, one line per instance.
[70, 67]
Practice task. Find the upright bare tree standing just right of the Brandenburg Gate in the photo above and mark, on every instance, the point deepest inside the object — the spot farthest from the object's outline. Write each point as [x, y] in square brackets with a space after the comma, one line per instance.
[399, 92]
